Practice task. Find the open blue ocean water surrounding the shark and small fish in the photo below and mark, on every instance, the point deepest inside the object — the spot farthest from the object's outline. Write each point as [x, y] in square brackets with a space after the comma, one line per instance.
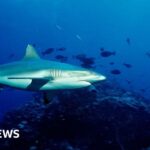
[83, 27]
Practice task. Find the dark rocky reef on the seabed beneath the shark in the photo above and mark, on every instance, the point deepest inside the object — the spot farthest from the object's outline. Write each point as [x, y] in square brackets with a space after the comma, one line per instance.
[109, 119]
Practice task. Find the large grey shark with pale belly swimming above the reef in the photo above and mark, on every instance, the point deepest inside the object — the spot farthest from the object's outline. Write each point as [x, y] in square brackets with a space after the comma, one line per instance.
[36, 74]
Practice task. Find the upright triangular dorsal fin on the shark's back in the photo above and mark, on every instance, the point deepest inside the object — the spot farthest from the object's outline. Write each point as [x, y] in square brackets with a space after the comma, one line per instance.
[31, 53]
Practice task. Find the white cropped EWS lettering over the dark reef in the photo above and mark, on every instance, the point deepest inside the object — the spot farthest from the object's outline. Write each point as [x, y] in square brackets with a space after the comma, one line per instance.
[11, 134]
